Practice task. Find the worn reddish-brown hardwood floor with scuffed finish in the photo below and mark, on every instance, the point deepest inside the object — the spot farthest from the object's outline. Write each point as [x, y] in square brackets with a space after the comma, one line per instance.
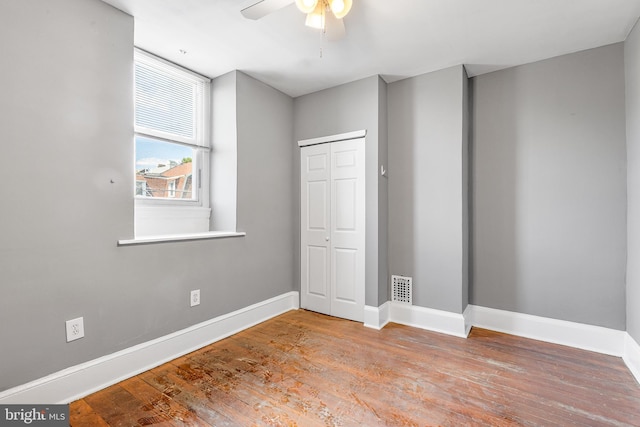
[306, 369]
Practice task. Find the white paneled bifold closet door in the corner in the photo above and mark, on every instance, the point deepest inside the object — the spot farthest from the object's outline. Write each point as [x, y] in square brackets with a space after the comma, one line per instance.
[333, 229]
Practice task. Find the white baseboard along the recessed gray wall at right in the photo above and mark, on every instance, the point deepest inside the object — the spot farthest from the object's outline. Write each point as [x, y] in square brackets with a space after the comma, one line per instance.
[578, 335]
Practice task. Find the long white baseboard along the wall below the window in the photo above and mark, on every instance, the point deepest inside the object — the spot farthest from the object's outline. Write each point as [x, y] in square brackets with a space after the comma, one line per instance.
[81, 380]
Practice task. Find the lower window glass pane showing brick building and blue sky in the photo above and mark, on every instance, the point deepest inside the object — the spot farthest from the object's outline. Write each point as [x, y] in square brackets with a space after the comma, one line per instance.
[164, 170]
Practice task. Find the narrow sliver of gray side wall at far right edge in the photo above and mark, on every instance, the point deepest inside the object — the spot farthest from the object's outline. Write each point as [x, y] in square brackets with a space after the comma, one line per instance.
[632, 73]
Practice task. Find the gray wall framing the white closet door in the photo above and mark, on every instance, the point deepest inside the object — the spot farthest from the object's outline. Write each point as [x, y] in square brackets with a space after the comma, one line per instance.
[345, 108]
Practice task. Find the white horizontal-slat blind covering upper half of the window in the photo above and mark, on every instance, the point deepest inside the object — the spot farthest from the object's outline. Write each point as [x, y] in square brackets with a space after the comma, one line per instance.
[169, 102]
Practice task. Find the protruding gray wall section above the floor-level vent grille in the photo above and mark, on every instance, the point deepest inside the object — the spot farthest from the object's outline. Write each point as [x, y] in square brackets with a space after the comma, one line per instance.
[426, 145]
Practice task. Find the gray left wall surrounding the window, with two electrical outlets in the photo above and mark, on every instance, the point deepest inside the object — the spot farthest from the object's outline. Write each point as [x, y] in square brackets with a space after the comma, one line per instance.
[66, 130]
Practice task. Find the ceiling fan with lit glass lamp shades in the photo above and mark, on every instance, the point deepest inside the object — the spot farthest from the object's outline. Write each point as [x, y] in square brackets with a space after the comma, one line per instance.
[325, 15]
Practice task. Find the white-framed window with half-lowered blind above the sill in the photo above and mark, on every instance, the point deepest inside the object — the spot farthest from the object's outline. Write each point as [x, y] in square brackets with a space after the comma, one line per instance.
[171, 124]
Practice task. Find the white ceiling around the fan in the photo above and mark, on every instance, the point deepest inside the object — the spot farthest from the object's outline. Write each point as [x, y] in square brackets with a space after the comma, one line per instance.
[393, 38]
